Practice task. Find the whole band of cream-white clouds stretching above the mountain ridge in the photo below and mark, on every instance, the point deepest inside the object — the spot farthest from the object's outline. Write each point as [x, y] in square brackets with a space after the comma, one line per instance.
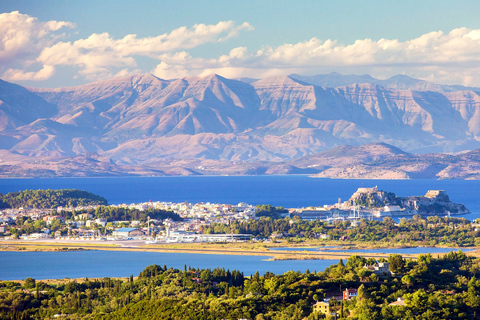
[31, 50]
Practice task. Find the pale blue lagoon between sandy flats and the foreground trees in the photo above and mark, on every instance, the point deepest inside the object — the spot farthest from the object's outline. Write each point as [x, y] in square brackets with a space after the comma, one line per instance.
[93, 264]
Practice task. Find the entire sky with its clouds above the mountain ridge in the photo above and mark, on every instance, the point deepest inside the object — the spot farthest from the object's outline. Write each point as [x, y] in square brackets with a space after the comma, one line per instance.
[56, 43]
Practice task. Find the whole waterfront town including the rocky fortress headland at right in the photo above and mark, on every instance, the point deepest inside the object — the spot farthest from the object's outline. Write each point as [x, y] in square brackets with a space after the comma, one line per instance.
[168, 222]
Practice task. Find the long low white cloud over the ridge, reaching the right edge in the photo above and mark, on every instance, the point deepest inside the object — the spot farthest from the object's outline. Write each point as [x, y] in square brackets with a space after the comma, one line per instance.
[452, 58]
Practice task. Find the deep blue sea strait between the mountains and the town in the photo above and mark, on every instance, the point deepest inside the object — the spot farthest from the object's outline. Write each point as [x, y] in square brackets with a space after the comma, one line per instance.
[287, 191]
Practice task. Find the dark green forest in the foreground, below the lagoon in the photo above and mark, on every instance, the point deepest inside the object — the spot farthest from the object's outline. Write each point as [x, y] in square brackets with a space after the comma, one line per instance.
[442, 287]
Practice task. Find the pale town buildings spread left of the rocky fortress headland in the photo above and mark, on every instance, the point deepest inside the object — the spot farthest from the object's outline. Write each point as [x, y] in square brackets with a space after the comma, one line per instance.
[51, 223]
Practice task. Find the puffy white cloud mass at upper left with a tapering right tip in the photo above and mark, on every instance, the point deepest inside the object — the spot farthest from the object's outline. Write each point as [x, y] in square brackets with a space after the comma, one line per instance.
[26, 44]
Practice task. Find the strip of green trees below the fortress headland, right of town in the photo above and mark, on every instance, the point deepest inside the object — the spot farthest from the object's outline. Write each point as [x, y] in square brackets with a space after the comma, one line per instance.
[429, 231]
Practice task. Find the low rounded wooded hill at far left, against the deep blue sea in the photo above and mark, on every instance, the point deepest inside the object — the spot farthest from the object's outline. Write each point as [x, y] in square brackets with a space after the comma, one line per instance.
[46, 199]
